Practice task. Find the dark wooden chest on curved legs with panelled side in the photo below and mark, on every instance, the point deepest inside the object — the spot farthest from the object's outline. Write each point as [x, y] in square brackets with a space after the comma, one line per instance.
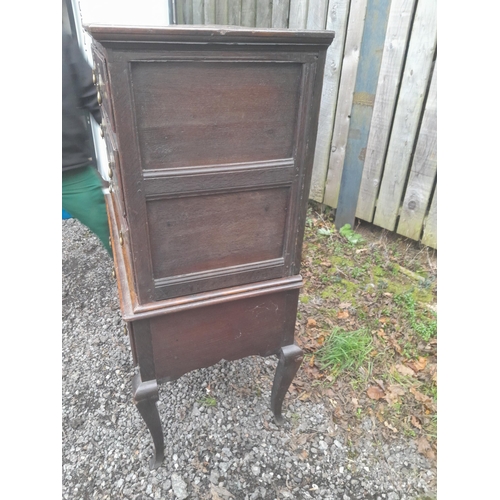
[210, 134]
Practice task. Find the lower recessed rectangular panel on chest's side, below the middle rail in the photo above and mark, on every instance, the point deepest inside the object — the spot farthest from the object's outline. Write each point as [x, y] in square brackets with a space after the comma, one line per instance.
[194, 234]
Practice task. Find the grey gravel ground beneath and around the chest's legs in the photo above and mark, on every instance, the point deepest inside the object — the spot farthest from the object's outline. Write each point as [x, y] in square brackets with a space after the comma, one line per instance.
[230, 449]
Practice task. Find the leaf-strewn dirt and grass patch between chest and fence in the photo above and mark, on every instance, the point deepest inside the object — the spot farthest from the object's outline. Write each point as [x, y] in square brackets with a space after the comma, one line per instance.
[367, 322]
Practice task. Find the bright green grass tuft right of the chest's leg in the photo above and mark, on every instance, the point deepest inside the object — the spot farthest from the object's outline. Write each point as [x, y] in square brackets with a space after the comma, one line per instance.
[344, 350]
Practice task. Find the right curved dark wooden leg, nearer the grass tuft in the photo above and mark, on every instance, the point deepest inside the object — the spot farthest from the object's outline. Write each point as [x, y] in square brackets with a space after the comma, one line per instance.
[290, 359]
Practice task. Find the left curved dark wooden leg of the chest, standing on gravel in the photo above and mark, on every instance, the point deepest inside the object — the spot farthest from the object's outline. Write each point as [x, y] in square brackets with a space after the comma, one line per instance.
[145, 397]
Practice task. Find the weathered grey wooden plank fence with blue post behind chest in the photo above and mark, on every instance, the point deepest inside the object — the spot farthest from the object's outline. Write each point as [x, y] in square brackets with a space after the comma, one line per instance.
[376, 148]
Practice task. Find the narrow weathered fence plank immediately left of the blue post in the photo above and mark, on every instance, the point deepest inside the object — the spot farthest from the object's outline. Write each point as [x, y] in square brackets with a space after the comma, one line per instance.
[342, 116]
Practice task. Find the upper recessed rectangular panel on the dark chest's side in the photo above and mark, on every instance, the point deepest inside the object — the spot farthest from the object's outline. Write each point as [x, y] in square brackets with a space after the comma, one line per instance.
[204, 113]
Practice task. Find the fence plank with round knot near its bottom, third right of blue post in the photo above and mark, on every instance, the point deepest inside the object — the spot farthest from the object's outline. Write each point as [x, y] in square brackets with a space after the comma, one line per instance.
[423, 170]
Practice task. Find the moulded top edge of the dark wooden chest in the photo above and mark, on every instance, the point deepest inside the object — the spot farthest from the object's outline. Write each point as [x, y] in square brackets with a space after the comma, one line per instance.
[208, 34]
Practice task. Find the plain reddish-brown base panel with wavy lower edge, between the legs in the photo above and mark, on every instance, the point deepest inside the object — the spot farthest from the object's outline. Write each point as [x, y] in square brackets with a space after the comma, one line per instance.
[255, 326]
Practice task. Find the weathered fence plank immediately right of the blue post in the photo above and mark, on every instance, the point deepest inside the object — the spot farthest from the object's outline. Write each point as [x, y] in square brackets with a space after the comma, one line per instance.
[391, 68]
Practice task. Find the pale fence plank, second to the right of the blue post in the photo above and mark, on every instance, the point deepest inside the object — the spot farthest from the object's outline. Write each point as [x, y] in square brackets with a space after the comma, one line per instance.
[408, 110]
